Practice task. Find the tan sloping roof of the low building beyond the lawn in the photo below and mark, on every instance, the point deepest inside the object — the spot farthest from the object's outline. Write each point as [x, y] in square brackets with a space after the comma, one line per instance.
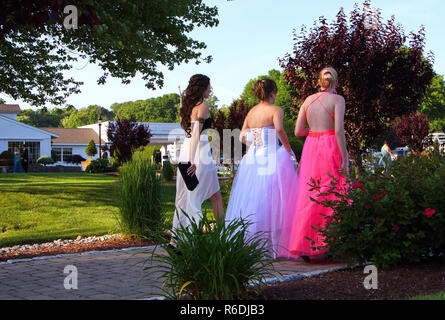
[74, 135]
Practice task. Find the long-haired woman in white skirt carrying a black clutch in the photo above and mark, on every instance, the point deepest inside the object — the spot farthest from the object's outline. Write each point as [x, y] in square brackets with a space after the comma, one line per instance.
[196, 150]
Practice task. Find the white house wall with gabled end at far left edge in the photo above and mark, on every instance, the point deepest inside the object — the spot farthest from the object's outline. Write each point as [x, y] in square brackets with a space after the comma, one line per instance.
[14, 134]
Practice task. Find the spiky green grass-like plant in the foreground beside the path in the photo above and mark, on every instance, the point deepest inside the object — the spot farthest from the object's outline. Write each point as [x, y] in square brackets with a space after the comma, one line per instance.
[216, 261]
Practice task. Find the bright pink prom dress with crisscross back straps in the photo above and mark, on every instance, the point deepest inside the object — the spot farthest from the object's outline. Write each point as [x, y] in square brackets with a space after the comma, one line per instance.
[321, 155]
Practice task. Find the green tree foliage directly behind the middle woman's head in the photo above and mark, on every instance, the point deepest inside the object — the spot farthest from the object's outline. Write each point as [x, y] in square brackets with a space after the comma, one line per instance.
[284, 98]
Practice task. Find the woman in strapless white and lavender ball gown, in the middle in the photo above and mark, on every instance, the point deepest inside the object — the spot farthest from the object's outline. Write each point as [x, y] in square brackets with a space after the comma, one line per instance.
[264, 185]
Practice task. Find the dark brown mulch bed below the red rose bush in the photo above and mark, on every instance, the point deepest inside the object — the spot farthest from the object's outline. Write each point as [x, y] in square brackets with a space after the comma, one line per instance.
[396, 283]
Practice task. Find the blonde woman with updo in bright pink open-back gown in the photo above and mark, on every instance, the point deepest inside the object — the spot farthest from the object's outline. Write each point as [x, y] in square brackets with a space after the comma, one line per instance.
[324, 153]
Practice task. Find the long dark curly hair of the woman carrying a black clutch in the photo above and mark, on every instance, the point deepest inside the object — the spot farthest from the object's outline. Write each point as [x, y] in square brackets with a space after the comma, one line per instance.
[191, 97]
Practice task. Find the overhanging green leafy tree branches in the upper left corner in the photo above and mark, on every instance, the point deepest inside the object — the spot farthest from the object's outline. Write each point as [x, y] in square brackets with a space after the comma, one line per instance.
[123, 37]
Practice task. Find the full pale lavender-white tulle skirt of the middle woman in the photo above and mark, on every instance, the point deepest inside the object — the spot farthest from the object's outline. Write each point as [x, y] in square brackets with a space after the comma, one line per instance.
[265, 181]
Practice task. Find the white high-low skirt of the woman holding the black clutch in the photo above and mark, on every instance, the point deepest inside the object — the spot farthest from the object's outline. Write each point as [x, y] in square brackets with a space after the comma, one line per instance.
[191, 201]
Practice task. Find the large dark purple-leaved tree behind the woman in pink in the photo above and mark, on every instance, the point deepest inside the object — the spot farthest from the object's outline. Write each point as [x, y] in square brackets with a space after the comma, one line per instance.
[380, 77]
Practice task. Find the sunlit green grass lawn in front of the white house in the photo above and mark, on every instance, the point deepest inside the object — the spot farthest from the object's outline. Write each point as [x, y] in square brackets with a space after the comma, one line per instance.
[42, 207]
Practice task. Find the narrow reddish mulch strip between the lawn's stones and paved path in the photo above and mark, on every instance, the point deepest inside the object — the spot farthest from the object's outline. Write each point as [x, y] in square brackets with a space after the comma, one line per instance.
[110, 244]
